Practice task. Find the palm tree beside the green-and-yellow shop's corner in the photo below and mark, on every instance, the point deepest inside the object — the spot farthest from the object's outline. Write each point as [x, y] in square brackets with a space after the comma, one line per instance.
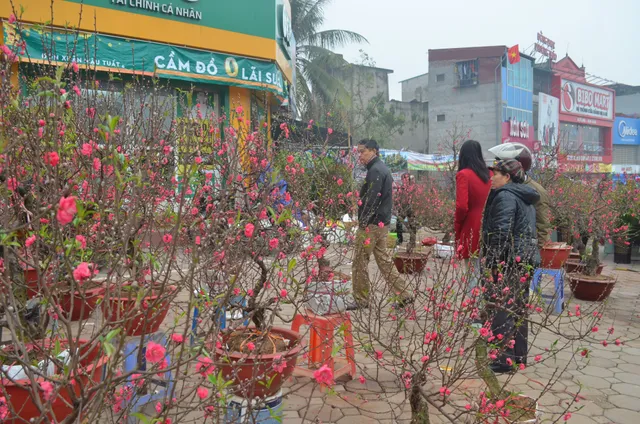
[316, 62]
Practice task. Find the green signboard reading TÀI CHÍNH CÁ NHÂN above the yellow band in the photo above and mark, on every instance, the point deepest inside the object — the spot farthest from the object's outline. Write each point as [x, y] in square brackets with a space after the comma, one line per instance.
[251, 17]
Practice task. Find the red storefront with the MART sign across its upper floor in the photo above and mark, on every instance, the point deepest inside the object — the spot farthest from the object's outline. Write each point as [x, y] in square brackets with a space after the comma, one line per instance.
[585, 130]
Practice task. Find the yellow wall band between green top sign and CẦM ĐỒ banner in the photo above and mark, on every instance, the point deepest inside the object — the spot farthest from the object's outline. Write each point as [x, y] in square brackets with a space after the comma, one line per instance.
[115, 22]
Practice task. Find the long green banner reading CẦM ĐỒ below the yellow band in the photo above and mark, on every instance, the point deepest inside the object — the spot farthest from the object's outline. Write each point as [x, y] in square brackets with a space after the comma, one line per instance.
[115, 54]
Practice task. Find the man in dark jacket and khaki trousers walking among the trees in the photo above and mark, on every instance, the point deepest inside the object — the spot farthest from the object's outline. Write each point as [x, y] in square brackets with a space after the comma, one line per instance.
[374, 217]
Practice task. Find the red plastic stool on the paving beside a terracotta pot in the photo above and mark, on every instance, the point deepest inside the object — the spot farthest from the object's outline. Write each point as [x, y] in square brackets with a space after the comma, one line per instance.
[321, 334]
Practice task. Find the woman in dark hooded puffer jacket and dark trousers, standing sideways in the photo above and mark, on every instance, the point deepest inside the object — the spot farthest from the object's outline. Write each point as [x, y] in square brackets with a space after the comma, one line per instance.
[510, 254]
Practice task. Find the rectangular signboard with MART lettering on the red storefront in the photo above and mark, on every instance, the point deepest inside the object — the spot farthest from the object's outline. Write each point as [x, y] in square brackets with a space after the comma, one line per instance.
[586, 100]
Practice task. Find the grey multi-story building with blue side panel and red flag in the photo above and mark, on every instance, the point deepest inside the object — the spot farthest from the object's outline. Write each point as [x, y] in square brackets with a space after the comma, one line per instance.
[477, 93]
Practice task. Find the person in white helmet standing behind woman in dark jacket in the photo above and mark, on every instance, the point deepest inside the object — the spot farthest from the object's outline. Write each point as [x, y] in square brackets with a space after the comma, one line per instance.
[522, 154]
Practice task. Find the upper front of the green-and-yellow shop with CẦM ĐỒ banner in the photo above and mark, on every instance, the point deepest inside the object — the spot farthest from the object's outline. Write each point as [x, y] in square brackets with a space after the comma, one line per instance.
[226, 56]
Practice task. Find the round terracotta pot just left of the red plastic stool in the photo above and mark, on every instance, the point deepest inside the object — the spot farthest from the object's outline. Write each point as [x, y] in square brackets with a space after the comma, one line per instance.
[242, 368]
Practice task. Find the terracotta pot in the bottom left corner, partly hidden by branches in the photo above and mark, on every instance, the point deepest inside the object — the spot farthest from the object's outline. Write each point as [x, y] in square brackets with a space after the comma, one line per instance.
[19, 392]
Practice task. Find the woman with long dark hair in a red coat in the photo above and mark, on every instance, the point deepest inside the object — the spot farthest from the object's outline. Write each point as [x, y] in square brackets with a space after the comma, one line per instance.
[473, 183]
